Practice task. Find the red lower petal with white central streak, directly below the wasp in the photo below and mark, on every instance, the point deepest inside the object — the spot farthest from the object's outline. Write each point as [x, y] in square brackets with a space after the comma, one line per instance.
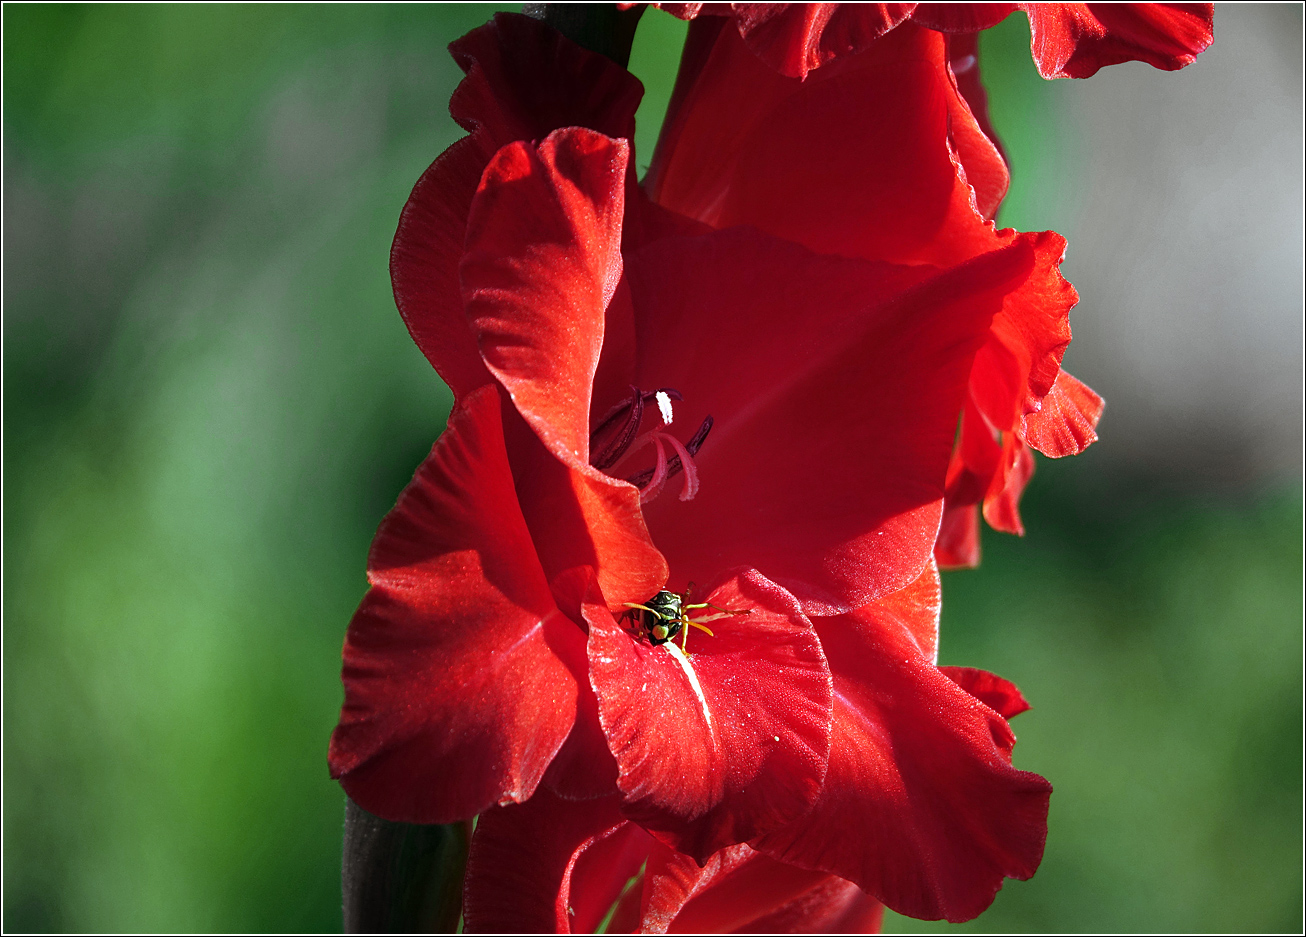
[745, 751]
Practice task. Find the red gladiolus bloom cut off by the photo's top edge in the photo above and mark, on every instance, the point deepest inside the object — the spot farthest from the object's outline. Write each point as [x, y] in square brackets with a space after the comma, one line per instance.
[1068, 40]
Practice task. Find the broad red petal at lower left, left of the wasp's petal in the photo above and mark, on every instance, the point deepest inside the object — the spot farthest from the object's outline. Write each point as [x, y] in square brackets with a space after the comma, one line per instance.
[456, 692]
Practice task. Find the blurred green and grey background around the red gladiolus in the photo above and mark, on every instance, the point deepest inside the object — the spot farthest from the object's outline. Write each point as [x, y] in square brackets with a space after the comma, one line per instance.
[210, 403]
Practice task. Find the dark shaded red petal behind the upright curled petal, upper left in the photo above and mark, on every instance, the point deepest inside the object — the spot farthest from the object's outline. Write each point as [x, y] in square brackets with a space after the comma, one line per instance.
[524, 80]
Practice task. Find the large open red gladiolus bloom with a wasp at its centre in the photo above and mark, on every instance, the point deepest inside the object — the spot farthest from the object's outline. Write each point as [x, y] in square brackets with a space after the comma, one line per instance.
[645, 402]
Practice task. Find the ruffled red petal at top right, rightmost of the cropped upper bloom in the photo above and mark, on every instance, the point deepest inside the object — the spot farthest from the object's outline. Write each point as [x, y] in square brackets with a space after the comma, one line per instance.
[1073, 41]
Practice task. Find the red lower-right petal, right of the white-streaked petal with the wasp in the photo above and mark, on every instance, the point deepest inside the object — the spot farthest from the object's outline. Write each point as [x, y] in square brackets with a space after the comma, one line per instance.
[921, 806]
